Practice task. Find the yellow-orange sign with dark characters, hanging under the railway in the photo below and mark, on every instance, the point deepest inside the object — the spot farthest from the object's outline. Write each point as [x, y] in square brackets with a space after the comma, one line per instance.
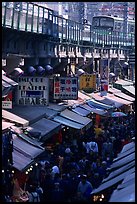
[87, 81]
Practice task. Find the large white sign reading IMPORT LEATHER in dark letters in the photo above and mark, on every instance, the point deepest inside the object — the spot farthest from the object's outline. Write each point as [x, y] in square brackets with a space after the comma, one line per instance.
[33, 91]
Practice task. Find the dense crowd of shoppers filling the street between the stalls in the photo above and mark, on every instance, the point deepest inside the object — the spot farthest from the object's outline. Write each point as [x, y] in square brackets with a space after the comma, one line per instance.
[75, 167]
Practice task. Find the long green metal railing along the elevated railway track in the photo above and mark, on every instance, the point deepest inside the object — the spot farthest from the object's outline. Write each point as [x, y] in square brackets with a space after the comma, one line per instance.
[29, 17]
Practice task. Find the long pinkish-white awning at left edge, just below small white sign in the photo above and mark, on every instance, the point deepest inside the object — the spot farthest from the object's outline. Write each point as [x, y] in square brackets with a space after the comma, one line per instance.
[14, 118]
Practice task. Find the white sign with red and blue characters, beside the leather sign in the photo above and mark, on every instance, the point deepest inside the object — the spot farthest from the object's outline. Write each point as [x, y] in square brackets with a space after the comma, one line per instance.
[65, 88]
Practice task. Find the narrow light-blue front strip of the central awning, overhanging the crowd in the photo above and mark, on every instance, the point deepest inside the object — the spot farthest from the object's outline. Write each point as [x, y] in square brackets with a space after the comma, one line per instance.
[67, 122]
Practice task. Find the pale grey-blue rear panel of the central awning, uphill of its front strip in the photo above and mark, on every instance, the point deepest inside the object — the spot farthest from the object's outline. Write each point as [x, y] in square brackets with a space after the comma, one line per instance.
[76, 118]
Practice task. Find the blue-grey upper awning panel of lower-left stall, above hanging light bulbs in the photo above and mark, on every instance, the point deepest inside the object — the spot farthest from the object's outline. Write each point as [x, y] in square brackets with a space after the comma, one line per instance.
[25, 148]
